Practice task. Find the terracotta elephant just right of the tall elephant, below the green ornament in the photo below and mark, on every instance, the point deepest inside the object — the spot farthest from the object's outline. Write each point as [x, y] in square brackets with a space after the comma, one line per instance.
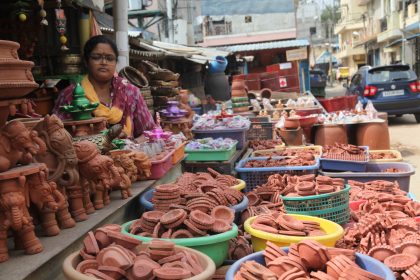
[97, 172]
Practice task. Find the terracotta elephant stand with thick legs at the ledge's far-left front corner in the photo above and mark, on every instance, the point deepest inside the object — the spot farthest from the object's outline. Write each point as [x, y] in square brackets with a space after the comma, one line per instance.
[14, 215]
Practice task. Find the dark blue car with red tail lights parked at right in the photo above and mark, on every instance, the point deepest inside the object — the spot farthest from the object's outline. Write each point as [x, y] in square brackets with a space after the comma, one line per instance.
[394, 89]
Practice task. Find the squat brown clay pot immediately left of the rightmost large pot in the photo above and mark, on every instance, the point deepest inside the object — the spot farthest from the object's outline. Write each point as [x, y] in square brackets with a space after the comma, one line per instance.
[330, 134]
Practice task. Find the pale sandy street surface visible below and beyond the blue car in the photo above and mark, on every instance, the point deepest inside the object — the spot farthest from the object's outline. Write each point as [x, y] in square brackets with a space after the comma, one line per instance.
[405, 137]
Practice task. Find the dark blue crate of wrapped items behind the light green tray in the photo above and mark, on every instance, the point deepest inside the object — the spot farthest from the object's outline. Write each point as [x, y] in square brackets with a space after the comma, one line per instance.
[239, 134]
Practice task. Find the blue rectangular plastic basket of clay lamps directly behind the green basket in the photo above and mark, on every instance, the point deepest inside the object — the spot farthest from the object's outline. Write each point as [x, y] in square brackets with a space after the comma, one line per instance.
[257, 176]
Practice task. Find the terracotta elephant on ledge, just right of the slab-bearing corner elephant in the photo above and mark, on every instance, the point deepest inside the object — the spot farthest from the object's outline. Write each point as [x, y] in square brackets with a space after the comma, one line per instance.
[49, 202]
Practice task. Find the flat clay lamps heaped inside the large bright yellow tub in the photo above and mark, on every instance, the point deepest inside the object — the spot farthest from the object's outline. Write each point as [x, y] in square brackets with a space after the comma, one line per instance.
[286, 225]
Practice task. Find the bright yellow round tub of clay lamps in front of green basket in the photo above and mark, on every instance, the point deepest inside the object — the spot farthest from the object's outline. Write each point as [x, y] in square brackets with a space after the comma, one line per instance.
[259, 238]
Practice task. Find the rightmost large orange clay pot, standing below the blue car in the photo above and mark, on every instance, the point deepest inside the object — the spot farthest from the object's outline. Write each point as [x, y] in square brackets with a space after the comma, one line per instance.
[374, 135]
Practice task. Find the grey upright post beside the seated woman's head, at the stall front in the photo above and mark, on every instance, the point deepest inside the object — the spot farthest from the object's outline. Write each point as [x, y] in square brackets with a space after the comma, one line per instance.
[120, 13]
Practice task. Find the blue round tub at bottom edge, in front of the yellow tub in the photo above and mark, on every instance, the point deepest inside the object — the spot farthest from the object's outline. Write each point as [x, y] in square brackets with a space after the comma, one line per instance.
[365, 262]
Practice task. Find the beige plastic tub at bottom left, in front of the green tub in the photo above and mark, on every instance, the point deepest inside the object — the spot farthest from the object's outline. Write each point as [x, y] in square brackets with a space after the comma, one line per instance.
[70, 264]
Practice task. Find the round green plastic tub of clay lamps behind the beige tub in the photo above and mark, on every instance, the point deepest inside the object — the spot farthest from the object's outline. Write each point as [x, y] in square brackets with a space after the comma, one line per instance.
[214, 246]
